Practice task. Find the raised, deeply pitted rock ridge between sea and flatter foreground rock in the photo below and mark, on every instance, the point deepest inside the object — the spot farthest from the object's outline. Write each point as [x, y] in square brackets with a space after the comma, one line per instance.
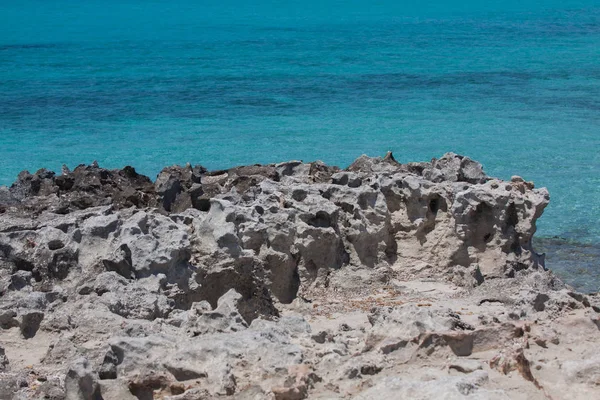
[271, 231]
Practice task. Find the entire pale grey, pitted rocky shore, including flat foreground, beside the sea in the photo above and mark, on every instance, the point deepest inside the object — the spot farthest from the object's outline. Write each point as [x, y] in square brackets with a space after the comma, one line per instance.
[286, 281]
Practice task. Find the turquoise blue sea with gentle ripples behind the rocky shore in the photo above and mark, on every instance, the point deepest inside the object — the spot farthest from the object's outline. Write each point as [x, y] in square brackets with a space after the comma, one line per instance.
[512, 84]
